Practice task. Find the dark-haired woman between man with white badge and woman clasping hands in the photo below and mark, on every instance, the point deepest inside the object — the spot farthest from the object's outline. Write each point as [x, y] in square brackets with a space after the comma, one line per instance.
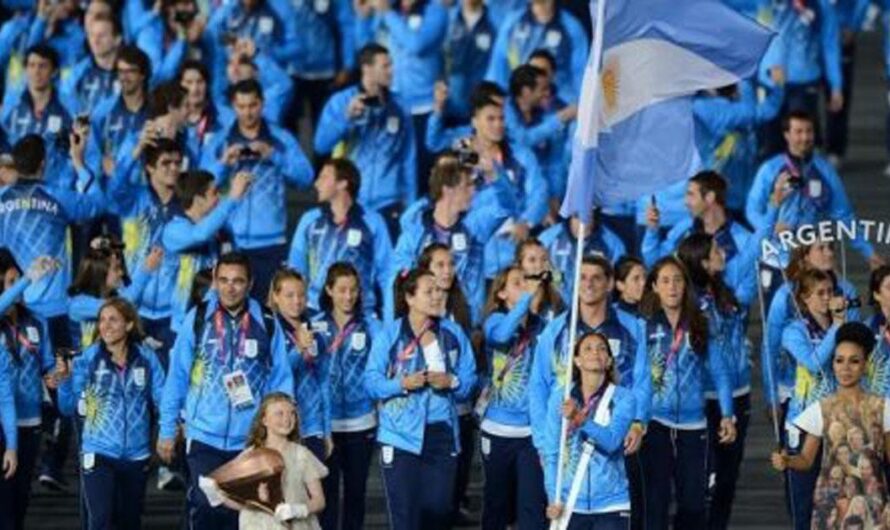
[347, 335]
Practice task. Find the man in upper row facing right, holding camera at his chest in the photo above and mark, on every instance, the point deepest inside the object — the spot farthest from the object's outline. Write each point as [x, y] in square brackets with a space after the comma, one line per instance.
[367, 124]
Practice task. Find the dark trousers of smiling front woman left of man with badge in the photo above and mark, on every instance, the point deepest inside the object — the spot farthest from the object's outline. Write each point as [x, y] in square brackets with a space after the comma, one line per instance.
[114, 491]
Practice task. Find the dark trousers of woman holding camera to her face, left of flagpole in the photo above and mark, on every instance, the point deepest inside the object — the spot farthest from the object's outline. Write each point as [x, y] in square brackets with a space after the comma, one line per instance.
[510, 462]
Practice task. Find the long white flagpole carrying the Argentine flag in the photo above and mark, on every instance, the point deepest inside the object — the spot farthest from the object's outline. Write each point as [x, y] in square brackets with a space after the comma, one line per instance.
[591, 76]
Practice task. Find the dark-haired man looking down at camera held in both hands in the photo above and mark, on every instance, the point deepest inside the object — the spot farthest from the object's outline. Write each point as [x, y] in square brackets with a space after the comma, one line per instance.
[274, 158]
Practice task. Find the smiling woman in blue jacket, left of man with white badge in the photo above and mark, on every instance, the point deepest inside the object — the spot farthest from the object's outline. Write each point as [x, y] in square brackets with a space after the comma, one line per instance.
[121, 381]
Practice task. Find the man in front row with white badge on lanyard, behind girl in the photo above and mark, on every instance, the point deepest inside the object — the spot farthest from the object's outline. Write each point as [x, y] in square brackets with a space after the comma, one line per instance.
[223, 363]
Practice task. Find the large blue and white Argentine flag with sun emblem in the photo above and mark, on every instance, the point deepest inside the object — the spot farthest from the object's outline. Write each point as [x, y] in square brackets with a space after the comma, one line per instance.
[635, 131]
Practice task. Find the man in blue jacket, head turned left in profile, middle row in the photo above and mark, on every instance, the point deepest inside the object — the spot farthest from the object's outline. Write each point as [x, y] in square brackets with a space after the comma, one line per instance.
[341, 230]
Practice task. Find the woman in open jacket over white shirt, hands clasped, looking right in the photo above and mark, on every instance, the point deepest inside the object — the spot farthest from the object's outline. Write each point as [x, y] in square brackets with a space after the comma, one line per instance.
[419, 366]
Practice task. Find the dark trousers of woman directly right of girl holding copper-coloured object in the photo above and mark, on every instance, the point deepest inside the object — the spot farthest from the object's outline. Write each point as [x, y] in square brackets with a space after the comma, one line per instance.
[351, 459]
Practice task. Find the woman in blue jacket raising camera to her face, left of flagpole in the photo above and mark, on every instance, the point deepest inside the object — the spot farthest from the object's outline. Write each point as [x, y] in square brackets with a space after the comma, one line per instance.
[511, 463]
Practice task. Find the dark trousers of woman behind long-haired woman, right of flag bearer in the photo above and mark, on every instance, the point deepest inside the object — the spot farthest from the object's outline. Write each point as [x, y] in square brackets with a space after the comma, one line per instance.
[727, 459]
